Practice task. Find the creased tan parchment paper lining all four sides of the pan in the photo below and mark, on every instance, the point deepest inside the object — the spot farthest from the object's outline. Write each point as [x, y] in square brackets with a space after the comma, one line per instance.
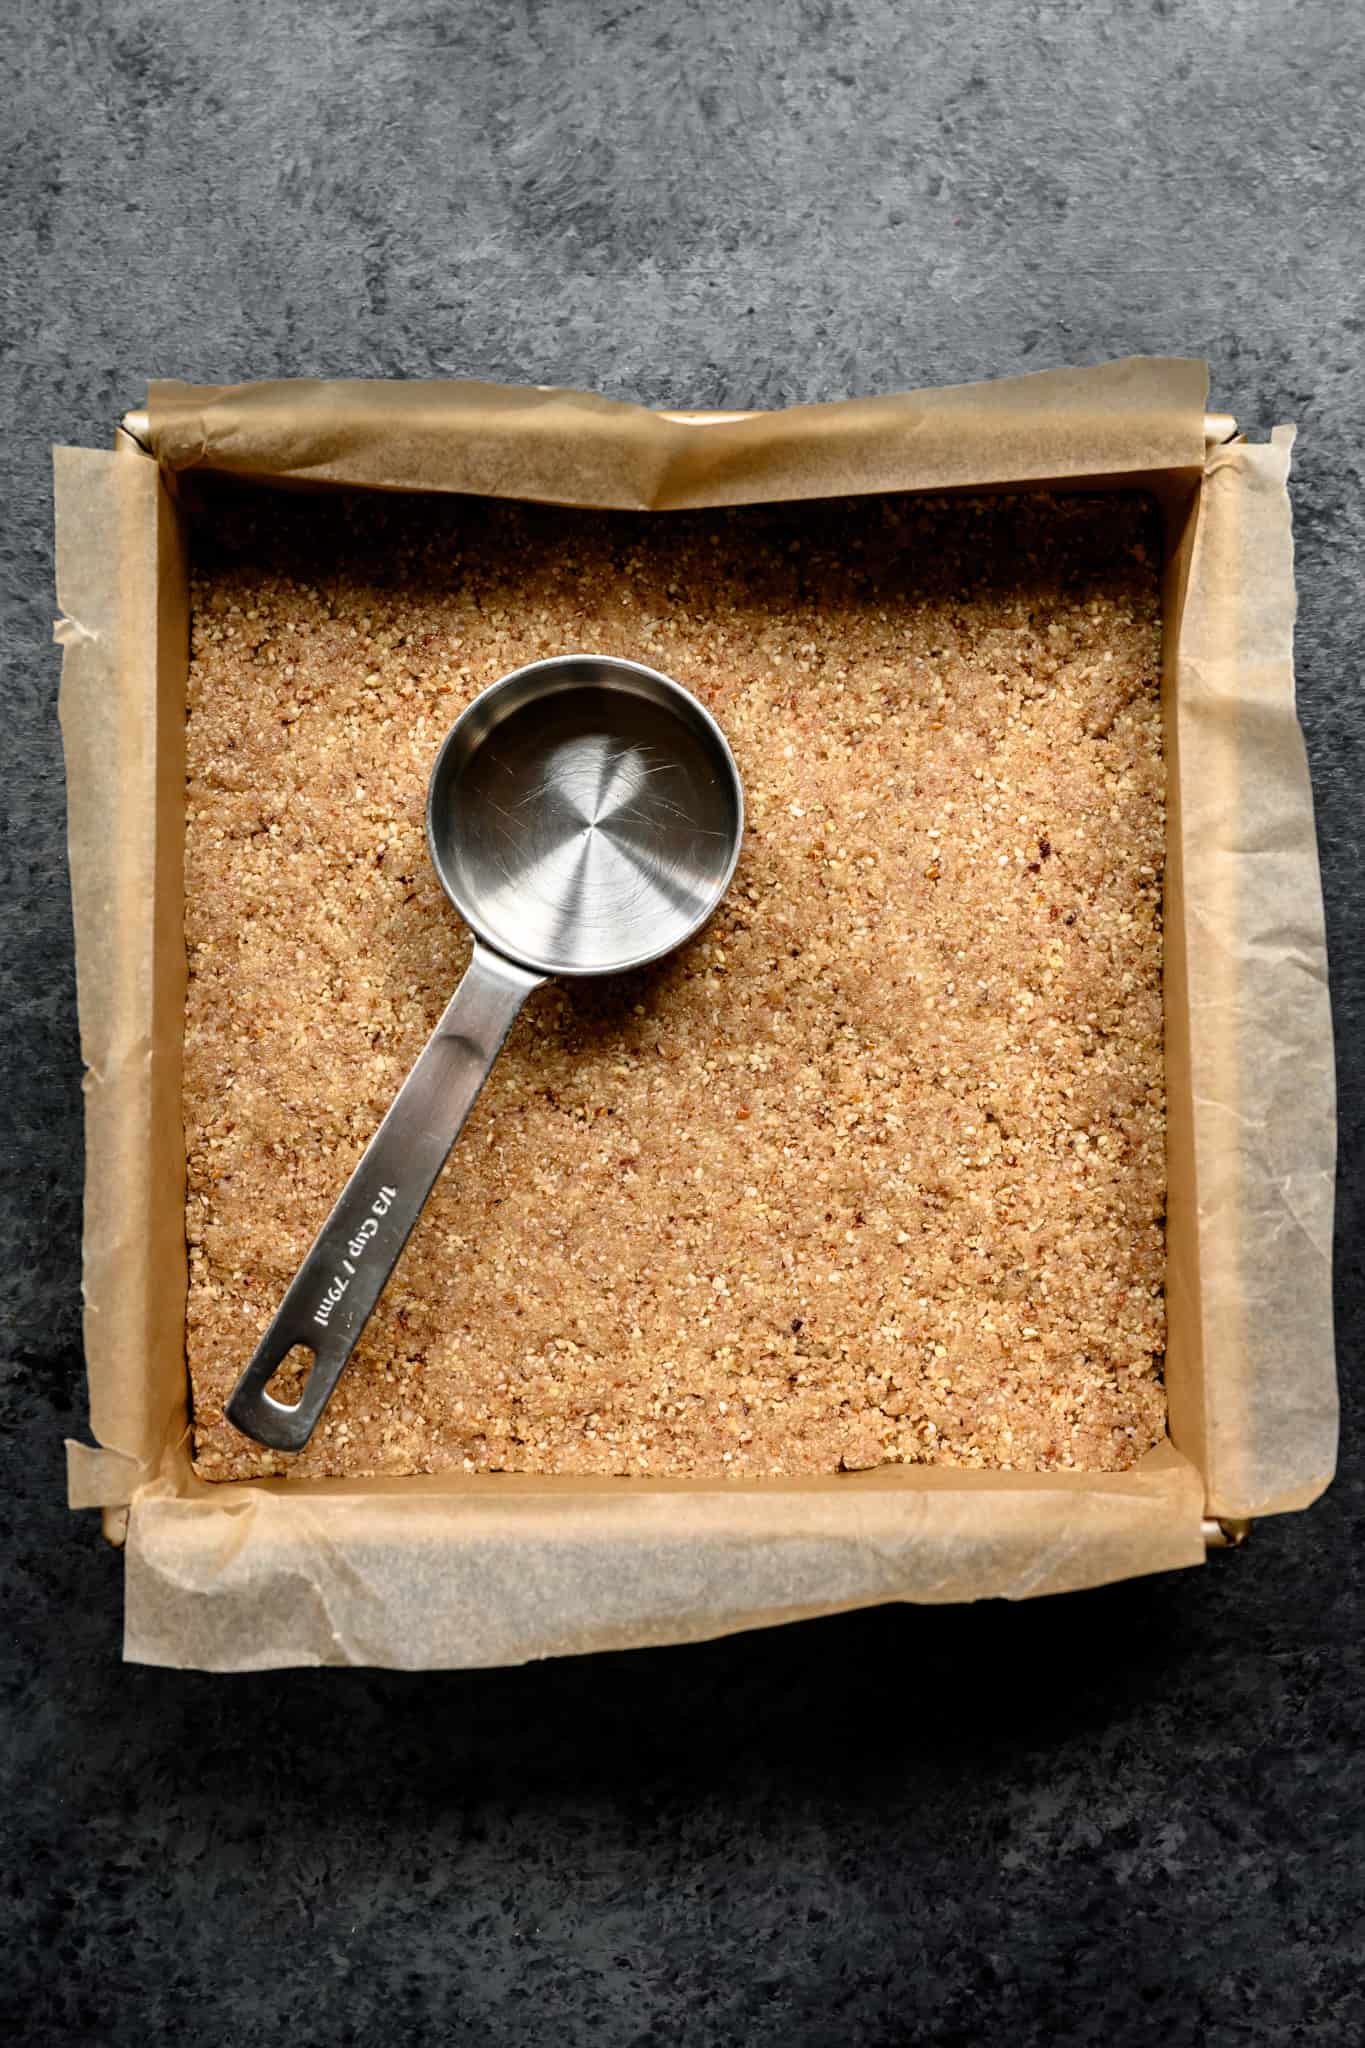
[498, 1568]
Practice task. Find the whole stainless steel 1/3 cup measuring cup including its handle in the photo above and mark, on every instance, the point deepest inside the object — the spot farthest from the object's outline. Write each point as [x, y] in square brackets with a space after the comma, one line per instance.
[584, 816]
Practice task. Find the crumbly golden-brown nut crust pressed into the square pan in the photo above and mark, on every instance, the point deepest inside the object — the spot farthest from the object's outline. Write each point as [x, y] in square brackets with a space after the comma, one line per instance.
[875, 1168]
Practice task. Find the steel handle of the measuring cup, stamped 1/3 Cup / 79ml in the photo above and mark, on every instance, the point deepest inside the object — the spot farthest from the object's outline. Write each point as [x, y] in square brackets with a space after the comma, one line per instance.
[333, 1295]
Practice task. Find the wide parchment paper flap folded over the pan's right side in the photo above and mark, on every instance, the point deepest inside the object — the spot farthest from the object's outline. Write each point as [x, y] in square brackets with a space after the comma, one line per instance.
[1249, 1029]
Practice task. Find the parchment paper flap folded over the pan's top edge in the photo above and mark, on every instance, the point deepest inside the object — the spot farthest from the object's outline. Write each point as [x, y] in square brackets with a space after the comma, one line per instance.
[572, 447]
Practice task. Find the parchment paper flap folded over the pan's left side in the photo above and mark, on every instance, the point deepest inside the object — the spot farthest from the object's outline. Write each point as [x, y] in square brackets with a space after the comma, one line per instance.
[122, 587]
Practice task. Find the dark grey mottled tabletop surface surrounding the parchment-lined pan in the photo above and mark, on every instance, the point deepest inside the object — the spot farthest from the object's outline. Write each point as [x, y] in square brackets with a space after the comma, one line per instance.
[1120, 1818]
